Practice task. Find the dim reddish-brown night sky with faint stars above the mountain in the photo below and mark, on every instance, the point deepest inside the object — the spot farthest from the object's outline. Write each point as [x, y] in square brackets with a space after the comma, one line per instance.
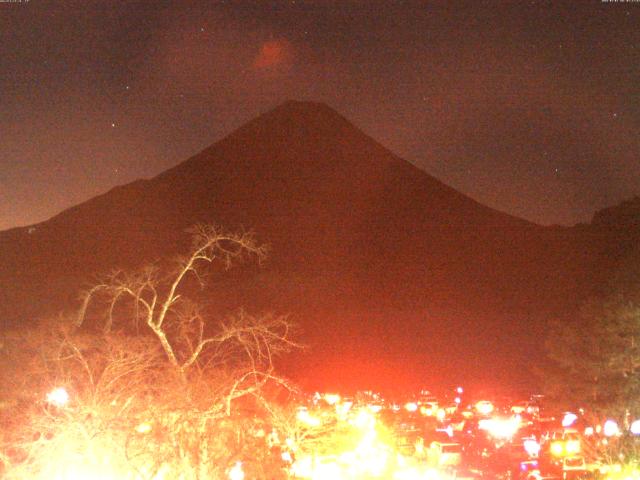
[532, 108]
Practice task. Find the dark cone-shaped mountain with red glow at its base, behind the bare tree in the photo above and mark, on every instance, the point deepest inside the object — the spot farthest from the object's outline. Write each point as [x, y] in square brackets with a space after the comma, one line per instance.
[395, 278]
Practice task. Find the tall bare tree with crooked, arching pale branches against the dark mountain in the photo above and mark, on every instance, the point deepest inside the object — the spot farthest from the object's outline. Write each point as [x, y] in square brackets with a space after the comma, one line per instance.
[242, 345]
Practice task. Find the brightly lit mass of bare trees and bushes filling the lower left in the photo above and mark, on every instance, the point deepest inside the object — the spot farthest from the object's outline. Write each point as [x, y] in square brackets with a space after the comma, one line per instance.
[154, 403]
